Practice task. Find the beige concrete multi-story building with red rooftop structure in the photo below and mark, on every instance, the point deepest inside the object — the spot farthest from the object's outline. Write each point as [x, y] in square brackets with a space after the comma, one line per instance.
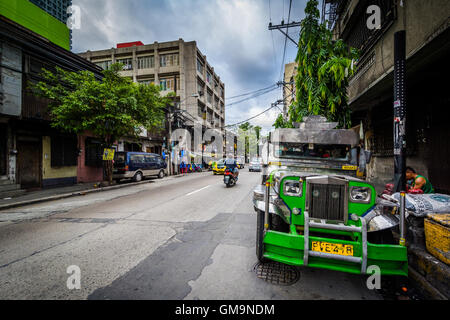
[175, 66]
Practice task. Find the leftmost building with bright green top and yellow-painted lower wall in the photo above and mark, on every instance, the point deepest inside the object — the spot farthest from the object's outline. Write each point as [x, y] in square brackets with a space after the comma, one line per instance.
[32, 153]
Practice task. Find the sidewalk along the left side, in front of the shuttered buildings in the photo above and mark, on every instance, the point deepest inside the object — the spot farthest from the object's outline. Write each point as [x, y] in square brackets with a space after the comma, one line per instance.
[70, 191]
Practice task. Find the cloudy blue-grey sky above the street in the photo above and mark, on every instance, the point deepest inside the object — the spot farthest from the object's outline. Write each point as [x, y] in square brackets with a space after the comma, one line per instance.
[233, 34]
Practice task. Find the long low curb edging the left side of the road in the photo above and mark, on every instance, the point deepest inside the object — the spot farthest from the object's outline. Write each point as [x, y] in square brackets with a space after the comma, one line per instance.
[79, 193]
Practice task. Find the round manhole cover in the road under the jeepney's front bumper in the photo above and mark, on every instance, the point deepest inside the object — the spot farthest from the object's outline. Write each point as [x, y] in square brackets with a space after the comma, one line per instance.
[277, 273]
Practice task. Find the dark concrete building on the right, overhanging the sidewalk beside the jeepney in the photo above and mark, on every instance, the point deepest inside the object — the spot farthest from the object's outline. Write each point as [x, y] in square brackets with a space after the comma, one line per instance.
[371, 88]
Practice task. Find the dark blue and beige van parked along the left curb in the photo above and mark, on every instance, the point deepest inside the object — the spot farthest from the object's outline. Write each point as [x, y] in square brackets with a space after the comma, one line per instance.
[137, 165]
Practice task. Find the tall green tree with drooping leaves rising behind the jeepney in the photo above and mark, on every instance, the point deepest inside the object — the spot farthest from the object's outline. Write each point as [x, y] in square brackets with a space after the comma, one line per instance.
[324, 67]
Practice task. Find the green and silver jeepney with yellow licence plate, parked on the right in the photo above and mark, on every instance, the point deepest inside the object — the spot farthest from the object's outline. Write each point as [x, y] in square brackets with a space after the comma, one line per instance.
[313, 210]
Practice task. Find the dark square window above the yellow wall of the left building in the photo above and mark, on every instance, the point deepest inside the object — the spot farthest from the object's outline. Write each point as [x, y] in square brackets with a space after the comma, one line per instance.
[64, 151]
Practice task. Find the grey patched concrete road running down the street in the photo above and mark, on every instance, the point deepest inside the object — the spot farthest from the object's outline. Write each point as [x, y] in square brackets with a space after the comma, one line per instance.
[176, 238]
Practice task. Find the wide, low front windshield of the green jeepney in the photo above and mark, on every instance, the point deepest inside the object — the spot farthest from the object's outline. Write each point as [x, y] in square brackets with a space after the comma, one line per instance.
[312, 151]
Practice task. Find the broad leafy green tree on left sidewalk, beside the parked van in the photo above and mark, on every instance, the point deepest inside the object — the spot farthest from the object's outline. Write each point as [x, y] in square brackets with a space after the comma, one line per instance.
[110, 109]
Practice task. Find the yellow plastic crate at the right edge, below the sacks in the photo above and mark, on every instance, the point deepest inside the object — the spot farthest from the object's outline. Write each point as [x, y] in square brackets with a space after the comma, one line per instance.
[437, 235]
